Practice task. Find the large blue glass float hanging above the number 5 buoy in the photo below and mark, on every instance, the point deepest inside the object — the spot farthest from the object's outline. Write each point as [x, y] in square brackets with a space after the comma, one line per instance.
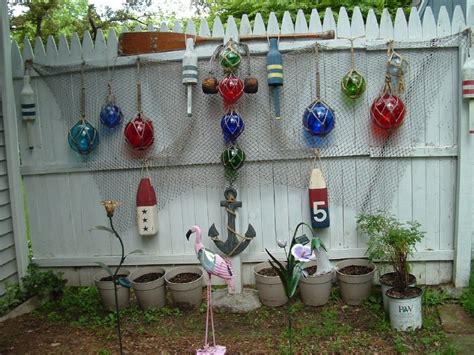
[318, 118]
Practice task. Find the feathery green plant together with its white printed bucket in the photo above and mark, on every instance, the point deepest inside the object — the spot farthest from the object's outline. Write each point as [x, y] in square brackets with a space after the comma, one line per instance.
[392, 241]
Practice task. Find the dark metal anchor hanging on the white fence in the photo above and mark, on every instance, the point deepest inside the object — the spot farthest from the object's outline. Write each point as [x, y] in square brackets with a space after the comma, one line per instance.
[235, 242]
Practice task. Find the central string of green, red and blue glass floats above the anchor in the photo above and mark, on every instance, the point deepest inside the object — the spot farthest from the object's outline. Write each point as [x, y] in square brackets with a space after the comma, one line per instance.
[231, 88]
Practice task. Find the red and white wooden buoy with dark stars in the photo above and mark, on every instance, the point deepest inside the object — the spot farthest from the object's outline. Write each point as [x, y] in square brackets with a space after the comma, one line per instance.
[147, 209]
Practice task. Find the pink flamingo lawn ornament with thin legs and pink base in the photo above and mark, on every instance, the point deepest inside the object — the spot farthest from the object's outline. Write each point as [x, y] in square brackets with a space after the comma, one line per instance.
[216, 265]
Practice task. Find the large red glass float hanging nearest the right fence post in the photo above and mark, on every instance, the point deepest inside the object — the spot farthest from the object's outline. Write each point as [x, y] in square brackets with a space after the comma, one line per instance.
[388, 111]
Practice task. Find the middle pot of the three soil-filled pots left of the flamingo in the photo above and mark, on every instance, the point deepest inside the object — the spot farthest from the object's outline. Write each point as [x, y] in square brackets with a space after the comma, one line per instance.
[149, 286]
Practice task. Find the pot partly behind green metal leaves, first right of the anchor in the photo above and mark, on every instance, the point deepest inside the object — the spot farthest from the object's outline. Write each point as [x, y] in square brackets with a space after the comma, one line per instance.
[270, 288]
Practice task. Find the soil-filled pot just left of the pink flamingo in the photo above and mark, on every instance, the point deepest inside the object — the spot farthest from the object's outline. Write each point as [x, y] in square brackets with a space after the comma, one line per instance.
[185, 286]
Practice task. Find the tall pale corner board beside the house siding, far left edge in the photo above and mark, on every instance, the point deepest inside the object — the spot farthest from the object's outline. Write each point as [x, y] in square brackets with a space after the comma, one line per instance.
[11, 143]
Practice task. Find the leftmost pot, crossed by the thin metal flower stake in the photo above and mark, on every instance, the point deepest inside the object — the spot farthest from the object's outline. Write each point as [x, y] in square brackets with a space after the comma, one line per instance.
[106, 290]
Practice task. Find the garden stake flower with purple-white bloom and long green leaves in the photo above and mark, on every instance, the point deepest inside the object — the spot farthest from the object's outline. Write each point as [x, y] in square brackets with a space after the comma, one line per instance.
[291, 271]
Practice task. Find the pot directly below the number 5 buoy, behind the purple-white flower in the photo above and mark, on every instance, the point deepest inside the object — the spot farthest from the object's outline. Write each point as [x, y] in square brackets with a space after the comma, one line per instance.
[316, 289]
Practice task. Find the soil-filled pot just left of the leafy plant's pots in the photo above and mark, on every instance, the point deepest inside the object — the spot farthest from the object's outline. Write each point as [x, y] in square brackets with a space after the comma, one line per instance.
[355, 289]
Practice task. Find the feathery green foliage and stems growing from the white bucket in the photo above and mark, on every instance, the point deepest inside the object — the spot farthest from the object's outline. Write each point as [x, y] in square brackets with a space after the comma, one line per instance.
[391, 241]
